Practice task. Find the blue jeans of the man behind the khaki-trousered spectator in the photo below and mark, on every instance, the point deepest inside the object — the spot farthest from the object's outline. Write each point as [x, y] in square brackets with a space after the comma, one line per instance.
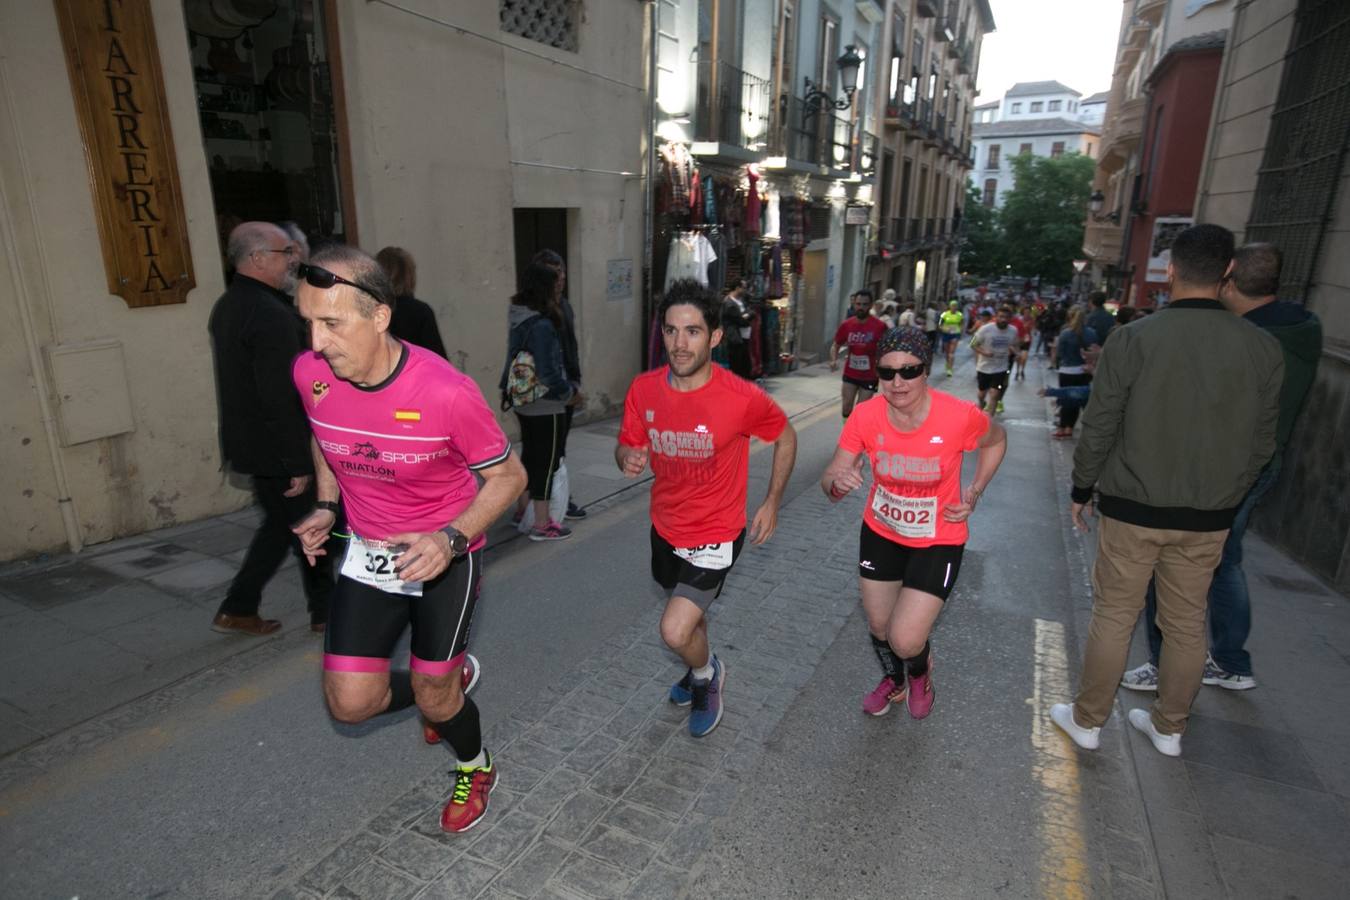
[1231, 605]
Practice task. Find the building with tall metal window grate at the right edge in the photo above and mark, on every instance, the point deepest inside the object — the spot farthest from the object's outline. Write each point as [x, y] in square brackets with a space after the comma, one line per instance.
[1276, 171]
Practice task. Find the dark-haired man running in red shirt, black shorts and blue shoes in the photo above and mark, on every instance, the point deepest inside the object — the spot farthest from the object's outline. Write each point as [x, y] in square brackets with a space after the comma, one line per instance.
[695, 422]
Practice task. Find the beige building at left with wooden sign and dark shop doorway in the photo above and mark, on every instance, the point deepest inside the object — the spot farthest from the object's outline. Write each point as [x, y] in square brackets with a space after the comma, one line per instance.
[469, 134]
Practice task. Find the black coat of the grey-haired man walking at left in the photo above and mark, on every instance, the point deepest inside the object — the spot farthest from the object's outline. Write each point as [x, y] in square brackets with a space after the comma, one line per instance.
[256, 337]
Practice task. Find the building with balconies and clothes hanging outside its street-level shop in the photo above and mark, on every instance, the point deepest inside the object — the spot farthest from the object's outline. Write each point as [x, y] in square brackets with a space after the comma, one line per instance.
[754, 111]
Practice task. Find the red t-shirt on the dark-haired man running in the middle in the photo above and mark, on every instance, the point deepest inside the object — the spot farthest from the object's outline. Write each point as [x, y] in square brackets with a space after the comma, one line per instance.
[700, 451]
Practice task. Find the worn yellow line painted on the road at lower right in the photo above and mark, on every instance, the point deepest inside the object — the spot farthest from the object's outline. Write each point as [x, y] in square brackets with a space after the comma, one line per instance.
[1064, 866]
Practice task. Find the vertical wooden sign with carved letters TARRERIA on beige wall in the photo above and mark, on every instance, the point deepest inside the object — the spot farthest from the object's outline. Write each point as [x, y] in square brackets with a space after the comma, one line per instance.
[119, 95]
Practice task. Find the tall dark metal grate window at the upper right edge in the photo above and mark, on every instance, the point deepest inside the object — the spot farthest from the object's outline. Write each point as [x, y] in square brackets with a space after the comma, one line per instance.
[1310, 132]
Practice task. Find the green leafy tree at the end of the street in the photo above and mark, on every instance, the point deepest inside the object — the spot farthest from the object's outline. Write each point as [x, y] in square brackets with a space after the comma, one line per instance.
[1043, 217]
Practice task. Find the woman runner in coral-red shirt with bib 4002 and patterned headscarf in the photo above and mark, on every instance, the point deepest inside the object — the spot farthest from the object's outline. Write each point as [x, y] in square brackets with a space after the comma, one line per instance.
[915, 528]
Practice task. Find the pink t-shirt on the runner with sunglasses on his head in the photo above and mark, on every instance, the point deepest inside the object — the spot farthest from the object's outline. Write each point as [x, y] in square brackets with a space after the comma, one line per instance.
[406, 451]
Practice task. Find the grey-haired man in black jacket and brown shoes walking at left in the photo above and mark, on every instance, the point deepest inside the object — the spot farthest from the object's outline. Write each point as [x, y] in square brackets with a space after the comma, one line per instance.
[256, 335]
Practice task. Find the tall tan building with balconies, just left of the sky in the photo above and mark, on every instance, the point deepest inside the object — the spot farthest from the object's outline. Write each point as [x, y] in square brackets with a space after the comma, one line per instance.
[928, 107]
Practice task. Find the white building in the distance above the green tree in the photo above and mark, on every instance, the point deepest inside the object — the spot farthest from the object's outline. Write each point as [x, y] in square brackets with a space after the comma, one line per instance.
[1040, 118]
